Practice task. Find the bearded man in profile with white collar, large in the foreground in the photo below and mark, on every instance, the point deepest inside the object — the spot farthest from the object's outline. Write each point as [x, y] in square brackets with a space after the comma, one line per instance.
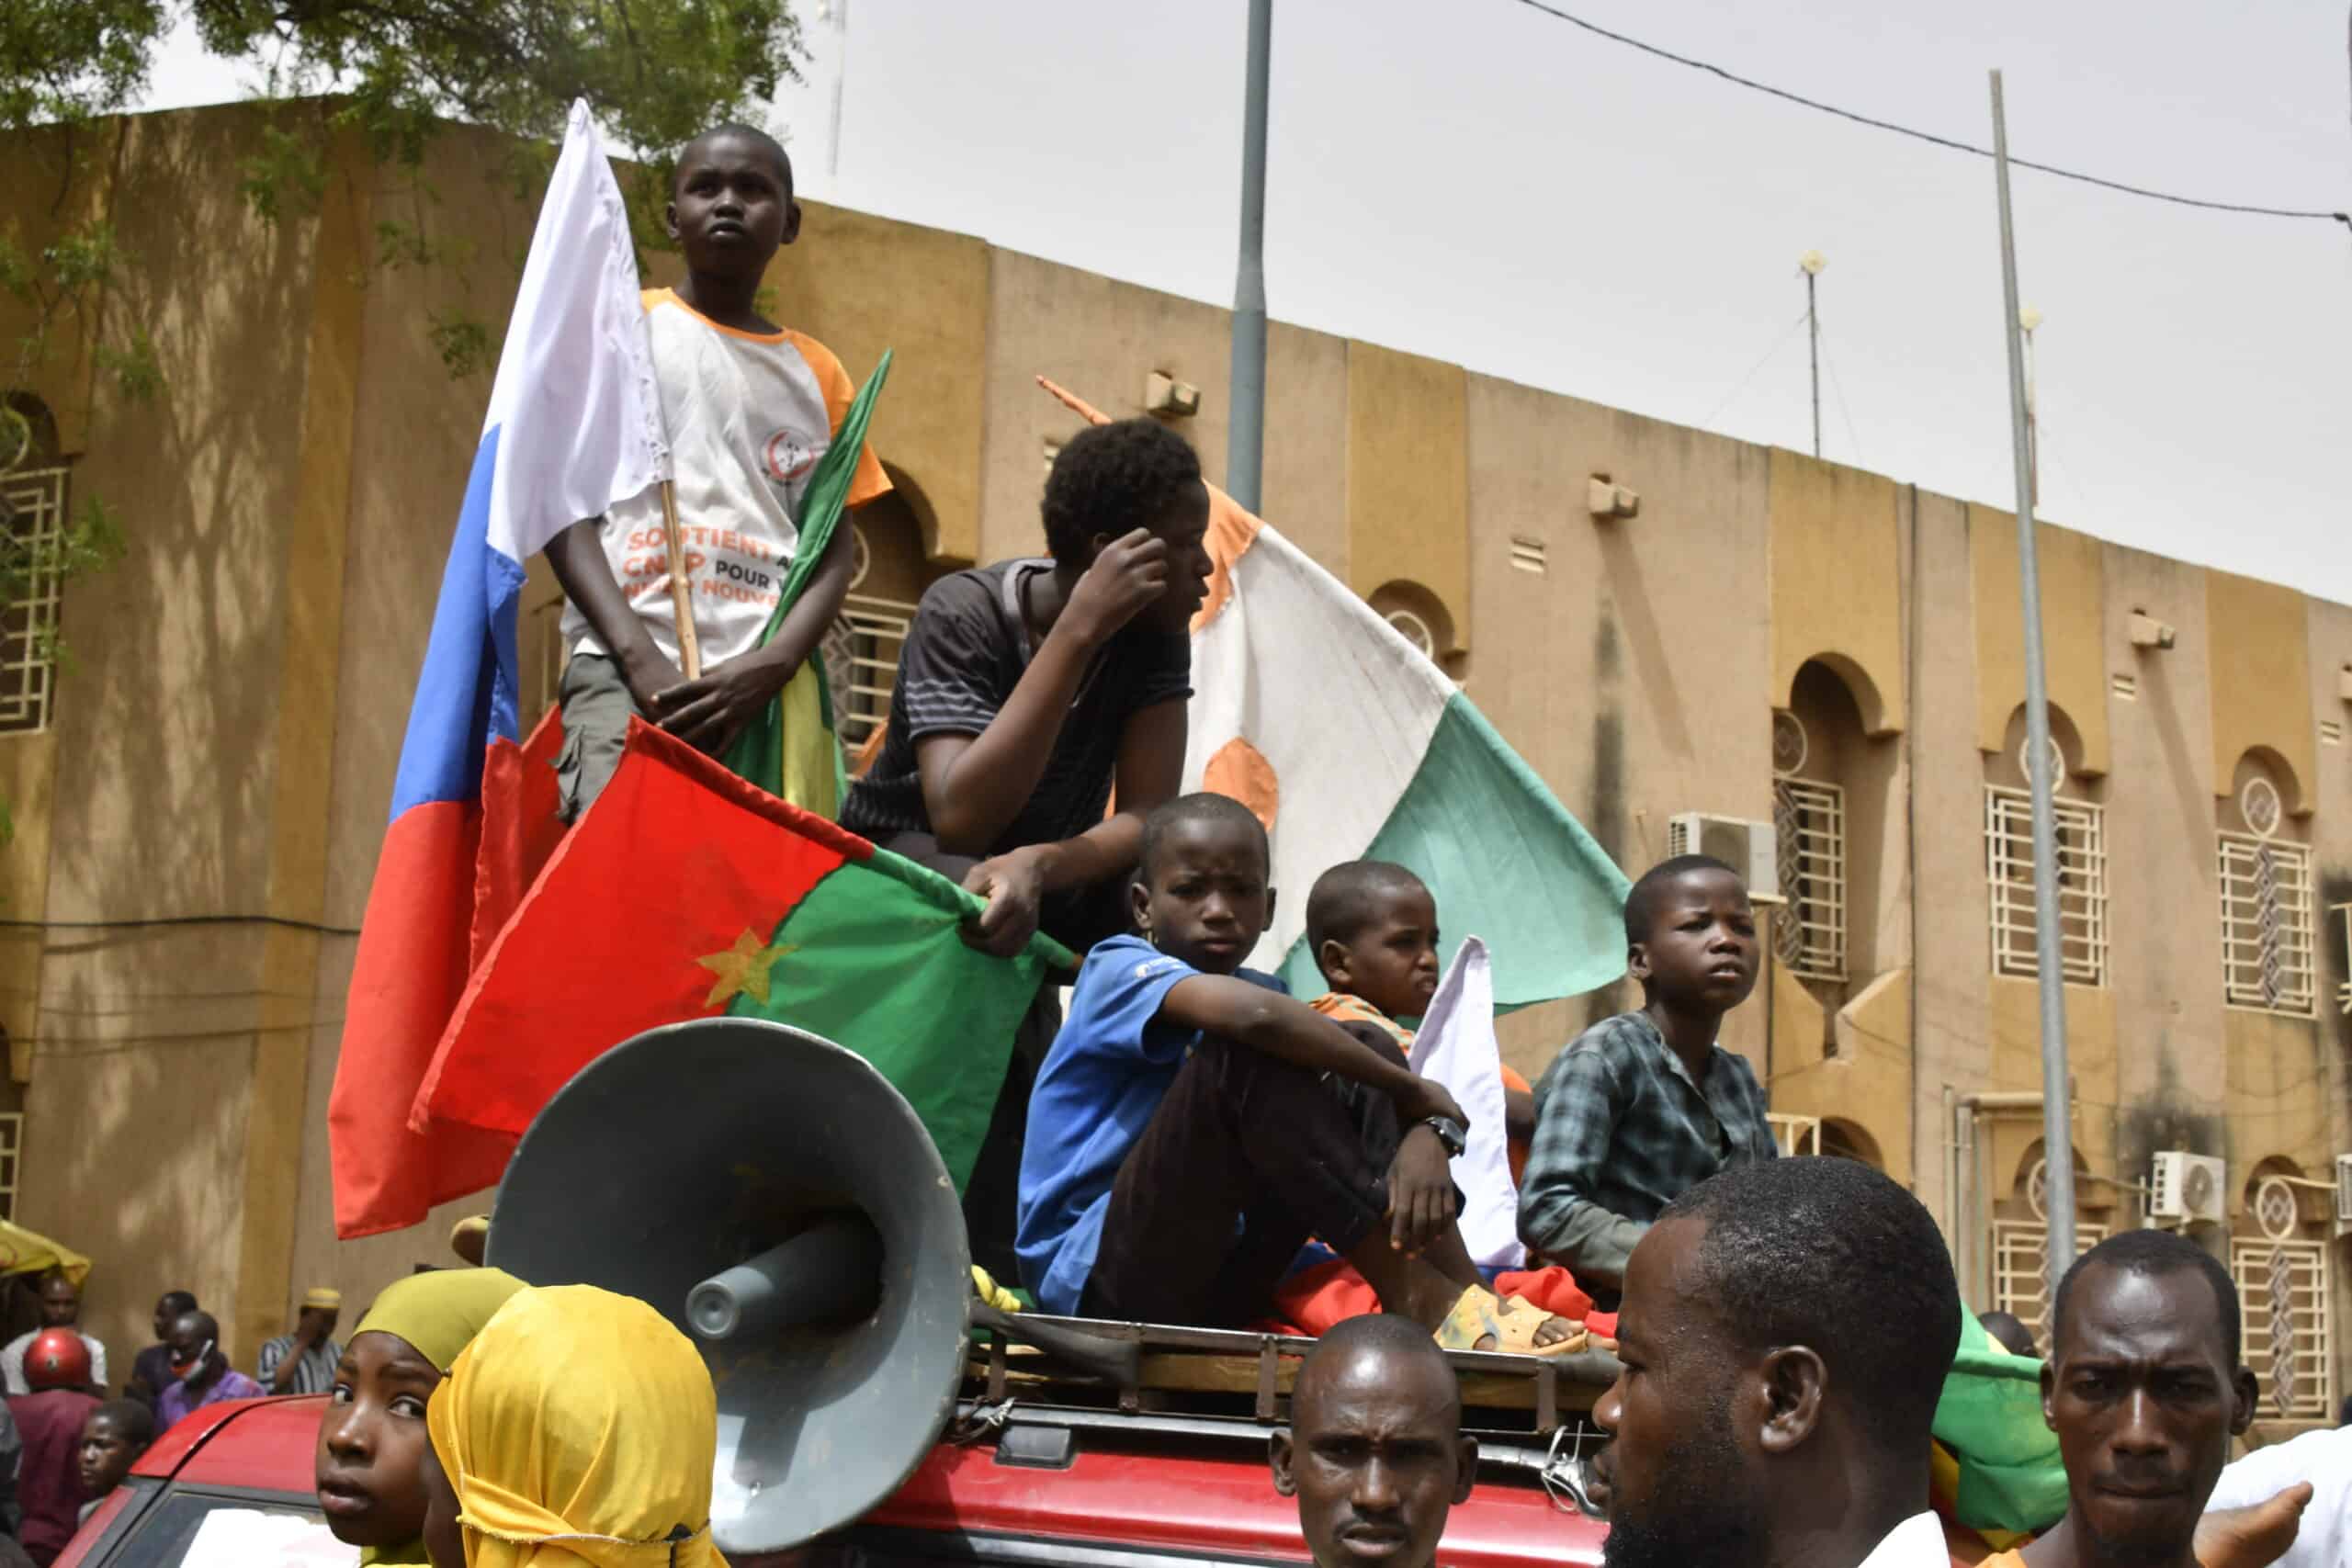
[1786, 1336]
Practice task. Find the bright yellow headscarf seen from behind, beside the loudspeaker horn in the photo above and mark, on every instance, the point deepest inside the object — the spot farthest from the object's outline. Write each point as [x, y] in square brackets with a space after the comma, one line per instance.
[580, 1428]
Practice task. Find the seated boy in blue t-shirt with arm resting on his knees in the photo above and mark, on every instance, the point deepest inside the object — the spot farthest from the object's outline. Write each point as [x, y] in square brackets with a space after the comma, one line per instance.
[1194, 1125]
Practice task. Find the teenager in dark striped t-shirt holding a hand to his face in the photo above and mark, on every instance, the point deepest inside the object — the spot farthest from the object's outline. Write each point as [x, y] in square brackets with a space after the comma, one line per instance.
[1024, 695]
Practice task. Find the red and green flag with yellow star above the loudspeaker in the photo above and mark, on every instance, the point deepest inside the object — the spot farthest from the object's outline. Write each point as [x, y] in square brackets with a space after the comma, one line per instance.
[688, 892]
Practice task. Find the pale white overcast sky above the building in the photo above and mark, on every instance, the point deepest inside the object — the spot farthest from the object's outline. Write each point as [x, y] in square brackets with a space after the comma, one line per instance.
[1492, 187]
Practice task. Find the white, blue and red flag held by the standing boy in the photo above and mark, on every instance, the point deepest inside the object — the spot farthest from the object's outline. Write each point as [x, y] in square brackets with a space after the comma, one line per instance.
[575, 427]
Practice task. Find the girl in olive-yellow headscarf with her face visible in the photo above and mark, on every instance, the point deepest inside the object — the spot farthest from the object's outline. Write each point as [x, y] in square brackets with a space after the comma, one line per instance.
[373, 1438]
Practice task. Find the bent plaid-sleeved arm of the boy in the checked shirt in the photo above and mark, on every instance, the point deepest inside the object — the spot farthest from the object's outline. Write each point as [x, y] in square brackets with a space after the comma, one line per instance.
[1575, 1132]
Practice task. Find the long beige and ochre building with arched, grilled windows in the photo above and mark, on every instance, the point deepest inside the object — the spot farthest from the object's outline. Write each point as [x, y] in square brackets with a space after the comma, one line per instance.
[201, 791]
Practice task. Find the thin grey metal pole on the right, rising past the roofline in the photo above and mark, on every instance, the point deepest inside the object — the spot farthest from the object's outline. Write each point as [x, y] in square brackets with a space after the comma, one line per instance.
[2050, 963]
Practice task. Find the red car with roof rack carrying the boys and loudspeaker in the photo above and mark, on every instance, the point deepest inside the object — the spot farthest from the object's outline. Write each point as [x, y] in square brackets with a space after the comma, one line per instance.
[1027, 1482]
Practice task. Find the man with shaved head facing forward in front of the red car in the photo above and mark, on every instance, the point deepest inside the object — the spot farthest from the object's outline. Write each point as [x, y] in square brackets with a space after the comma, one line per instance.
[1375, 1449]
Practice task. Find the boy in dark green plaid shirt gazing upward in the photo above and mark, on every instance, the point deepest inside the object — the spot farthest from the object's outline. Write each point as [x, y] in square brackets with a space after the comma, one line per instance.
[1645, 1106]
